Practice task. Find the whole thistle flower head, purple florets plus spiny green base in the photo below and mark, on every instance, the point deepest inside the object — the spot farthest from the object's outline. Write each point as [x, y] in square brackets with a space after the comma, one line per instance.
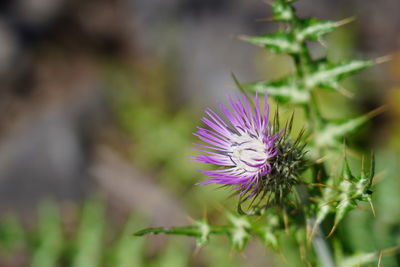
[249, 151]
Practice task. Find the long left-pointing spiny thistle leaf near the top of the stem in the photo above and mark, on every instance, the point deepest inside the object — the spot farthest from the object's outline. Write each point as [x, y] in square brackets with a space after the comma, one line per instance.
[280, 42]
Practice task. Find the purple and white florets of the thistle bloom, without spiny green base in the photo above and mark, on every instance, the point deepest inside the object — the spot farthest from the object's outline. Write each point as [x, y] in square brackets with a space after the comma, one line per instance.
[242, 144]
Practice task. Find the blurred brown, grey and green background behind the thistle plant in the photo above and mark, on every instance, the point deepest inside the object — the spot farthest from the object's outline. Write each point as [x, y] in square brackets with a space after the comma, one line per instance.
[98, 100]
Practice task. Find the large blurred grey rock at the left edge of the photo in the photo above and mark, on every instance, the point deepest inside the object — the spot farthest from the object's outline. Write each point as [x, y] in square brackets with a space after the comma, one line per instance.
[44, 154]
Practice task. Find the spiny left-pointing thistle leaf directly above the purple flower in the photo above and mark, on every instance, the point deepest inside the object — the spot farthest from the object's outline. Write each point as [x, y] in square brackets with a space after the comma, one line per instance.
[283, 91]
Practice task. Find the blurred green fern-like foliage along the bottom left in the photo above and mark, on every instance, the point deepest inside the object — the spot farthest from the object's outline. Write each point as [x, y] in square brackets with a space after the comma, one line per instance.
[92, 241]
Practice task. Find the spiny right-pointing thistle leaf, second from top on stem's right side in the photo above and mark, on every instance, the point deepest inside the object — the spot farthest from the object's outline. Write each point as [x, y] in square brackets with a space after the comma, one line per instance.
[327, 76]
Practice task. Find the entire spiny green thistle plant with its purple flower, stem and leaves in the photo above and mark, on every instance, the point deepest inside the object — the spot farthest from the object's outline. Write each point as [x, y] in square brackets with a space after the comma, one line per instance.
[289, 185]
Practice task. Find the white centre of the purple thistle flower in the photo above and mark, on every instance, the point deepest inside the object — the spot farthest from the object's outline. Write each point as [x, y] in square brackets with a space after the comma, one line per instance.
[248, 152]
